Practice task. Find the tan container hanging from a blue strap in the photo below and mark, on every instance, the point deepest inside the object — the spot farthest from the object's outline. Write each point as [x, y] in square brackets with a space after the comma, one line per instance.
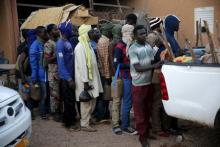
[117, 85]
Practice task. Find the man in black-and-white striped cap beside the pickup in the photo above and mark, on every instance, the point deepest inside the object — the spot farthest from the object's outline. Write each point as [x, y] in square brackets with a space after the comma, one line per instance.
[154, 39]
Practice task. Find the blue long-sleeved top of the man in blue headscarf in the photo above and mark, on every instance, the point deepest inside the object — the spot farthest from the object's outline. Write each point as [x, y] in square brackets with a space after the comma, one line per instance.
[65, 60]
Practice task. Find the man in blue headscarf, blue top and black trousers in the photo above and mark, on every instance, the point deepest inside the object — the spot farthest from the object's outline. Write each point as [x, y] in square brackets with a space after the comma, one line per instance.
[65, 61]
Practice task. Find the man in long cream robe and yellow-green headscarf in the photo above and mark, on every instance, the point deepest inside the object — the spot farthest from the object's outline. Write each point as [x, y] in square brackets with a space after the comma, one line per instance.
[87, 76]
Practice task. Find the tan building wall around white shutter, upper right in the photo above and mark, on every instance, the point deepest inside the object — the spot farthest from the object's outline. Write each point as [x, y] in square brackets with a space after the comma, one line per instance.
[184, 9]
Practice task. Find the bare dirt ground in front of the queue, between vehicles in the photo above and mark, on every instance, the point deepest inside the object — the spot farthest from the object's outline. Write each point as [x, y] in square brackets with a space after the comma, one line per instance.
[47, 133]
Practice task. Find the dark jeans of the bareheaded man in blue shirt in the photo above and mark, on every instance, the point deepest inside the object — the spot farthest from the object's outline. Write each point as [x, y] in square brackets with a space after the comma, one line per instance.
[43, 91]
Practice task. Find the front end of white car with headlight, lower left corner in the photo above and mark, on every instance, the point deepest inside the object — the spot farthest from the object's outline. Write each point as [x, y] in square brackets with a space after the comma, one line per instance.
[15, 118]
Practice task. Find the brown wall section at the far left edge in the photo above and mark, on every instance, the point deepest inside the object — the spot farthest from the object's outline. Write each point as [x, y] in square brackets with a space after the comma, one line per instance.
[9, 30]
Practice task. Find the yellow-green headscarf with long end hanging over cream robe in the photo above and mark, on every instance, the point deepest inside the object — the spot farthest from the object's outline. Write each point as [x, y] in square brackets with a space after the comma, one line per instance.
[84, 40]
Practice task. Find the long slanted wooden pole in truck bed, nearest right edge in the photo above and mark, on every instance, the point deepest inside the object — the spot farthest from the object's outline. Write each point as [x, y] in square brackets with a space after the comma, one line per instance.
[211, 44]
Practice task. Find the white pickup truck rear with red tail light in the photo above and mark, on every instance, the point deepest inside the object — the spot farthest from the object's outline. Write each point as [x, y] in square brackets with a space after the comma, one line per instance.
[192, 92]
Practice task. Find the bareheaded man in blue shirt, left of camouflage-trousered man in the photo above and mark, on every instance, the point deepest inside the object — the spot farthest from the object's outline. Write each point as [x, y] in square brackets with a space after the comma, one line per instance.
[38, 72]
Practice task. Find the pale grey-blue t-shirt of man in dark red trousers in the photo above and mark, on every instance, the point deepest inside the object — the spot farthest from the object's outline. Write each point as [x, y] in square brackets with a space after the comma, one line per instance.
[142, 54]
